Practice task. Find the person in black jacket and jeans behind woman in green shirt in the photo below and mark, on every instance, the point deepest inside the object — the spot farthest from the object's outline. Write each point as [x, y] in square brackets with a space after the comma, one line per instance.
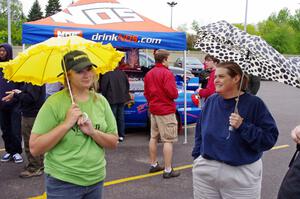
[115, 88]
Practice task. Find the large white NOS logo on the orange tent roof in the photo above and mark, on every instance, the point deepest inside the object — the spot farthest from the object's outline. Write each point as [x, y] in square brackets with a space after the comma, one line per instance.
[97, 13]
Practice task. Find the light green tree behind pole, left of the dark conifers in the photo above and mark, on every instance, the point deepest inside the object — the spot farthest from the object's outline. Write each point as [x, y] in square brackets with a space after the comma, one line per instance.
[17, 19]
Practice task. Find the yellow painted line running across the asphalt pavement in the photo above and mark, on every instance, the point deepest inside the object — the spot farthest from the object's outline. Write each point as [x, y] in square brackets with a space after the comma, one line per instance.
[122, 180]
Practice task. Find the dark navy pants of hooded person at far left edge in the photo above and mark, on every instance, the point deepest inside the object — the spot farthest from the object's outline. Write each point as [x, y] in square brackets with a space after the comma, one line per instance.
[10, 122]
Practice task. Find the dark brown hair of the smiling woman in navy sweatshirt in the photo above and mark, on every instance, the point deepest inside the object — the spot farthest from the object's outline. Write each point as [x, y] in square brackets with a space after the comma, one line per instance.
[233, 70]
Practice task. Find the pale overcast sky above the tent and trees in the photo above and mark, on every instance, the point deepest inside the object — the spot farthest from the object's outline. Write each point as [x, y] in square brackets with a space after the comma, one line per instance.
[203, 11]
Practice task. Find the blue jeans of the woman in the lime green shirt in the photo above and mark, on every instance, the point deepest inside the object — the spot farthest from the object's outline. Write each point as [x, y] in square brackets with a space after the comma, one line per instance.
[57, 189]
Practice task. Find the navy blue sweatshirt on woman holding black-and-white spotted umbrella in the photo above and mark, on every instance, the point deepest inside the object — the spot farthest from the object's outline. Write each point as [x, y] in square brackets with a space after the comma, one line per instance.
[244, 145]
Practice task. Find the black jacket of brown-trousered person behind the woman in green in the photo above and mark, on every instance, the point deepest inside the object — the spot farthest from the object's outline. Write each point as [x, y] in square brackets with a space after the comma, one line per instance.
[30, 99]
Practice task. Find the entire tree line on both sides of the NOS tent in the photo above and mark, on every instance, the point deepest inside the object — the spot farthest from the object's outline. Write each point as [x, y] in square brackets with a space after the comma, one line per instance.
[281, 30]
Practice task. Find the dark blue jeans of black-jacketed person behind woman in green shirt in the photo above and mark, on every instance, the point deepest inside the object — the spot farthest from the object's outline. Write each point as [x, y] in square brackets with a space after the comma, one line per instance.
[118, 110]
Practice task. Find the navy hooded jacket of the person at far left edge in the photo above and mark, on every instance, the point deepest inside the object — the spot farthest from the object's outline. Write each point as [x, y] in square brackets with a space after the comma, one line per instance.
[4, 84]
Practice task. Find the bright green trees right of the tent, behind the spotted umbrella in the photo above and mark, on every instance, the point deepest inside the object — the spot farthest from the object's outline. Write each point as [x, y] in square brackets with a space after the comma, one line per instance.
[281, 30]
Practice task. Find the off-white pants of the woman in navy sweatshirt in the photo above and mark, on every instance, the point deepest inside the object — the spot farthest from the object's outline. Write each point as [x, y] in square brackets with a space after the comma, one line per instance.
[216, 180]
